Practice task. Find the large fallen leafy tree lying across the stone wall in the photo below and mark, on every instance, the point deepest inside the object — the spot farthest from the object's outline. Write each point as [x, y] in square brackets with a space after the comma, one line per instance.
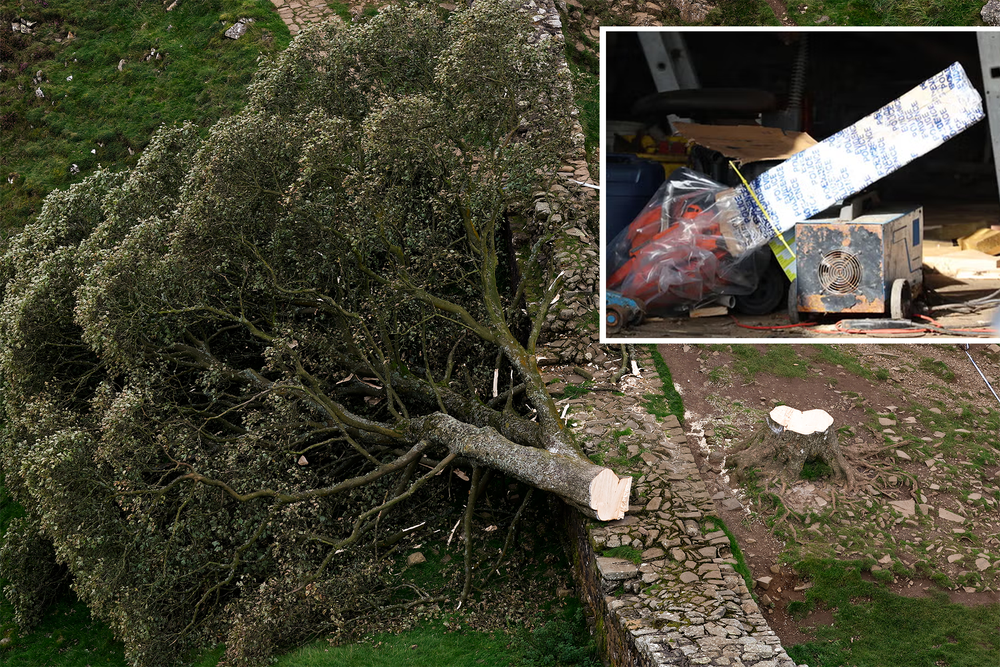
[227, 369]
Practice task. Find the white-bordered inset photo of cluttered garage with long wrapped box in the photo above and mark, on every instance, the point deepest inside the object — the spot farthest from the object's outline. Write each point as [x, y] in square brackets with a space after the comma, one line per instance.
[800, 184]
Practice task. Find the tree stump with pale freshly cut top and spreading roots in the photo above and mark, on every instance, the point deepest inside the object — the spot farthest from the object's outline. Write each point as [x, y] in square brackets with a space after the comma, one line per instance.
[789, 439]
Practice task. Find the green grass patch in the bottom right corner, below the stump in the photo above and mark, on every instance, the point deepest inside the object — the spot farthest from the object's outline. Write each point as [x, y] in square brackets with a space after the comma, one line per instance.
[874, 627]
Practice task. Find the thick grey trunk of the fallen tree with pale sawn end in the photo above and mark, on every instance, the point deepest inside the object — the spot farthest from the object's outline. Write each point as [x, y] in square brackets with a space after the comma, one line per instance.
[596, 491]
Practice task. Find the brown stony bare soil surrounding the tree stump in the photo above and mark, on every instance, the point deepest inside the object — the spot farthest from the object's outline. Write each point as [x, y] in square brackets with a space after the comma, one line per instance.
[930, 394]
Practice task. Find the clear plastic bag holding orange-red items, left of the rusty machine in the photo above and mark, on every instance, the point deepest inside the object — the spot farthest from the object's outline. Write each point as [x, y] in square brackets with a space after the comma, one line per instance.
[685, 247]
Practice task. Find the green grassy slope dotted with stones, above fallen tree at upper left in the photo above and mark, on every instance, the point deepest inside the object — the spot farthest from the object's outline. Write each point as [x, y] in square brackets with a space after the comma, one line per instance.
[102, 113]
